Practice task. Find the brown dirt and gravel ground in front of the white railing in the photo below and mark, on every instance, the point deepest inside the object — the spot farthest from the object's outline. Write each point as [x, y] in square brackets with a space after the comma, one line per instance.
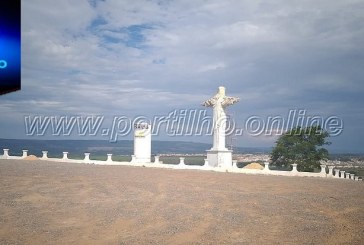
[59, 203]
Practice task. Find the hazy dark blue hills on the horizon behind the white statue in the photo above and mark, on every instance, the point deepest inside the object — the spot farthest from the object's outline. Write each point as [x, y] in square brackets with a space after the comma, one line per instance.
[102, 147]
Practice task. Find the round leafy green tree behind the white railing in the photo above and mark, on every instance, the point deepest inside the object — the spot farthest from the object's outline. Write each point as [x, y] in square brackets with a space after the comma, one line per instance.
[303, 146]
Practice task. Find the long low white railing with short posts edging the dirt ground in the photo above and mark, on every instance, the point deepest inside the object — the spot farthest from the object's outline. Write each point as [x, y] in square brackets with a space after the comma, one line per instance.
[331, 173]
